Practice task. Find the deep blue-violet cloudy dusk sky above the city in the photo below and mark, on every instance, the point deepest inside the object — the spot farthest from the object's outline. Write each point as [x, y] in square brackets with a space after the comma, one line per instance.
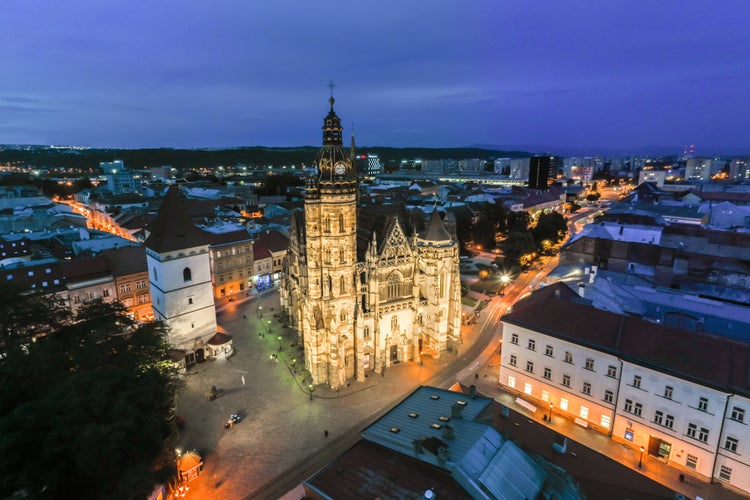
[586, 76]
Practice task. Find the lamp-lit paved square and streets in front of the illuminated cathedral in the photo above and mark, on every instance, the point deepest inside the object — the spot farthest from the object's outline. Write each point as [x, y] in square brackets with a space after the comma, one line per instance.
[282, 438]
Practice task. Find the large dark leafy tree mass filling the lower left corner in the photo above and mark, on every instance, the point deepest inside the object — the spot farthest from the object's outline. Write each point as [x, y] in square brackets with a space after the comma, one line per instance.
[87, 408]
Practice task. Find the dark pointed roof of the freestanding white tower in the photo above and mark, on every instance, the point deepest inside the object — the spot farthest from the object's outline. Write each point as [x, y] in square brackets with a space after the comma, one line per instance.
[173, 229]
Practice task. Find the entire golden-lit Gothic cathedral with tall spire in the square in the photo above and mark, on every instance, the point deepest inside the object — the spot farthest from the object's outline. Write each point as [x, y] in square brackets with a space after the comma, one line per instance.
[361, 291]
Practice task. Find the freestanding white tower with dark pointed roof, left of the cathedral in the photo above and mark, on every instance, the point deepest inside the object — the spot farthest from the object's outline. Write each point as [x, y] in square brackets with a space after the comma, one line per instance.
[180, 277]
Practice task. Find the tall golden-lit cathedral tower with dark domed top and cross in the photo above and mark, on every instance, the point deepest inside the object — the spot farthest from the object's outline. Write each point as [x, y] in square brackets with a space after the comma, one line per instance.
[331, 231]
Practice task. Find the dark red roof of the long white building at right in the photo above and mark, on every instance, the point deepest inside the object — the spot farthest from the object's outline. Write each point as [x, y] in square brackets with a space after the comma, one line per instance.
[557, 311]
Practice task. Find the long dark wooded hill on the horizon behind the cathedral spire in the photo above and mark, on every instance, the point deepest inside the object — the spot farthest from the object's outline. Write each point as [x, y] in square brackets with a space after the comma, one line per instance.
[44, 156]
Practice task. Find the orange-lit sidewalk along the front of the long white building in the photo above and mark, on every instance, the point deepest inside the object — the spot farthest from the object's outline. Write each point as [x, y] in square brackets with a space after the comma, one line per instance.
[485, 378]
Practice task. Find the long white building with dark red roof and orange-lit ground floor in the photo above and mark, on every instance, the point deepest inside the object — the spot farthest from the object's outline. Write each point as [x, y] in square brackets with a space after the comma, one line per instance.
[683, 396]
